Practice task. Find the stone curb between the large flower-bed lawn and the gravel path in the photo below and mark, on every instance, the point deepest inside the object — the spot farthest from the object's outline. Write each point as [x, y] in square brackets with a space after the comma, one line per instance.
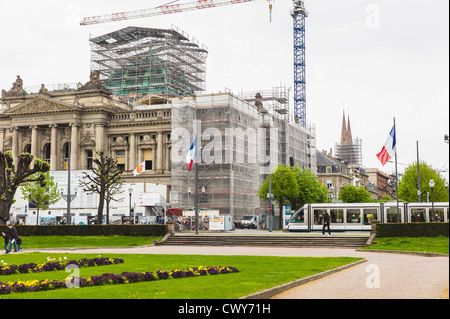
[271, 292]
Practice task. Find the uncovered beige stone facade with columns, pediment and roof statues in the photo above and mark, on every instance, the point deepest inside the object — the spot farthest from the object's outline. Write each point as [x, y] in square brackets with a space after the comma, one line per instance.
[93, 120]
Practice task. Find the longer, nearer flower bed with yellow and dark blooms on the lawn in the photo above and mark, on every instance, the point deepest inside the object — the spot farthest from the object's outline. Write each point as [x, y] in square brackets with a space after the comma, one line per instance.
[111, 279]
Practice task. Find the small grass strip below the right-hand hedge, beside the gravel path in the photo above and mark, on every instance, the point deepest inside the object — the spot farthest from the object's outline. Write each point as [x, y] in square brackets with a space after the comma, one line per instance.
[421, 244]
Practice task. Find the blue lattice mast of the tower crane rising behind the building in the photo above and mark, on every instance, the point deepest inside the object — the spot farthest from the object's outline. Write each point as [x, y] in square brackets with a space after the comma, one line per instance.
[299, 14]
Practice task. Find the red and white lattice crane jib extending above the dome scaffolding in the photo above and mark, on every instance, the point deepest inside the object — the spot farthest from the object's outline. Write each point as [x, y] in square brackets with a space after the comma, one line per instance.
[161, 10]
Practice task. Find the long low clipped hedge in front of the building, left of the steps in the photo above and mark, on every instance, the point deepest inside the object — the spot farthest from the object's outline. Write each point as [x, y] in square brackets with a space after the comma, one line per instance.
[90, 230]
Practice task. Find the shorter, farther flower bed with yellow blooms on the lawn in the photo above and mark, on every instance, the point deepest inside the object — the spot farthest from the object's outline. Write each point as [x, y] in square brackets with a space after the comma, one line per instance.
[53, 265]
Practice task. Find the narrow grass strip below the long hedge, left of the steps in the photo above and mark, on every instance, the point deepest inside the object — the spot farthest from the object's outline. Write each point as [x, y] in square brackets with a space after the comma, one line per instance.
[88, 241]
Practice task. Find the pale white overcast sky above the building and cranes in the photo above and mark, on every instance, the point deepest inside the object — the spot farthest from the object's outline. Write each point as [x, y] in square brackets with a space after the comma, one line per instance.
[375, 59]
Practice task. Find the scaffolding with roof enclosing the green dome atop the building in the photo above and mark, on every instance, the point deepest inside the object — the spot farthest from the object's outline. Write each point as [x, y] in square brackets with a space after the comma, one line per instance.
[135, 62]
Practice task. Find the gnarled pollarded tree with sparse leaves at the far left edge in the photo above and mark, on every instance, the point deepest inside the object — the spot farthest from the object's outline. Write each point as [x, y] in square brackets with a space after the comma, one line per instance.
[11, 177]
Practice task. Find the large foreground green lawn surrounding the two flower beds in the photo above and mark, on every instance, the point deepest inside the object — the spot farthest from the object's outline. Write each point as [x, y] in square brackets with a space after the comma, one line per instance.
[257, 273]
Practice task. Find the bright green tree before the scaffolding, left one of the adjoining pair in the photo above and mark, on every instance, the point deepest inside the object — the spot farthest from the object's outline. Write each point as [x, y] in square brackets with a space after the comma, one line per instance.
[284, 186]
